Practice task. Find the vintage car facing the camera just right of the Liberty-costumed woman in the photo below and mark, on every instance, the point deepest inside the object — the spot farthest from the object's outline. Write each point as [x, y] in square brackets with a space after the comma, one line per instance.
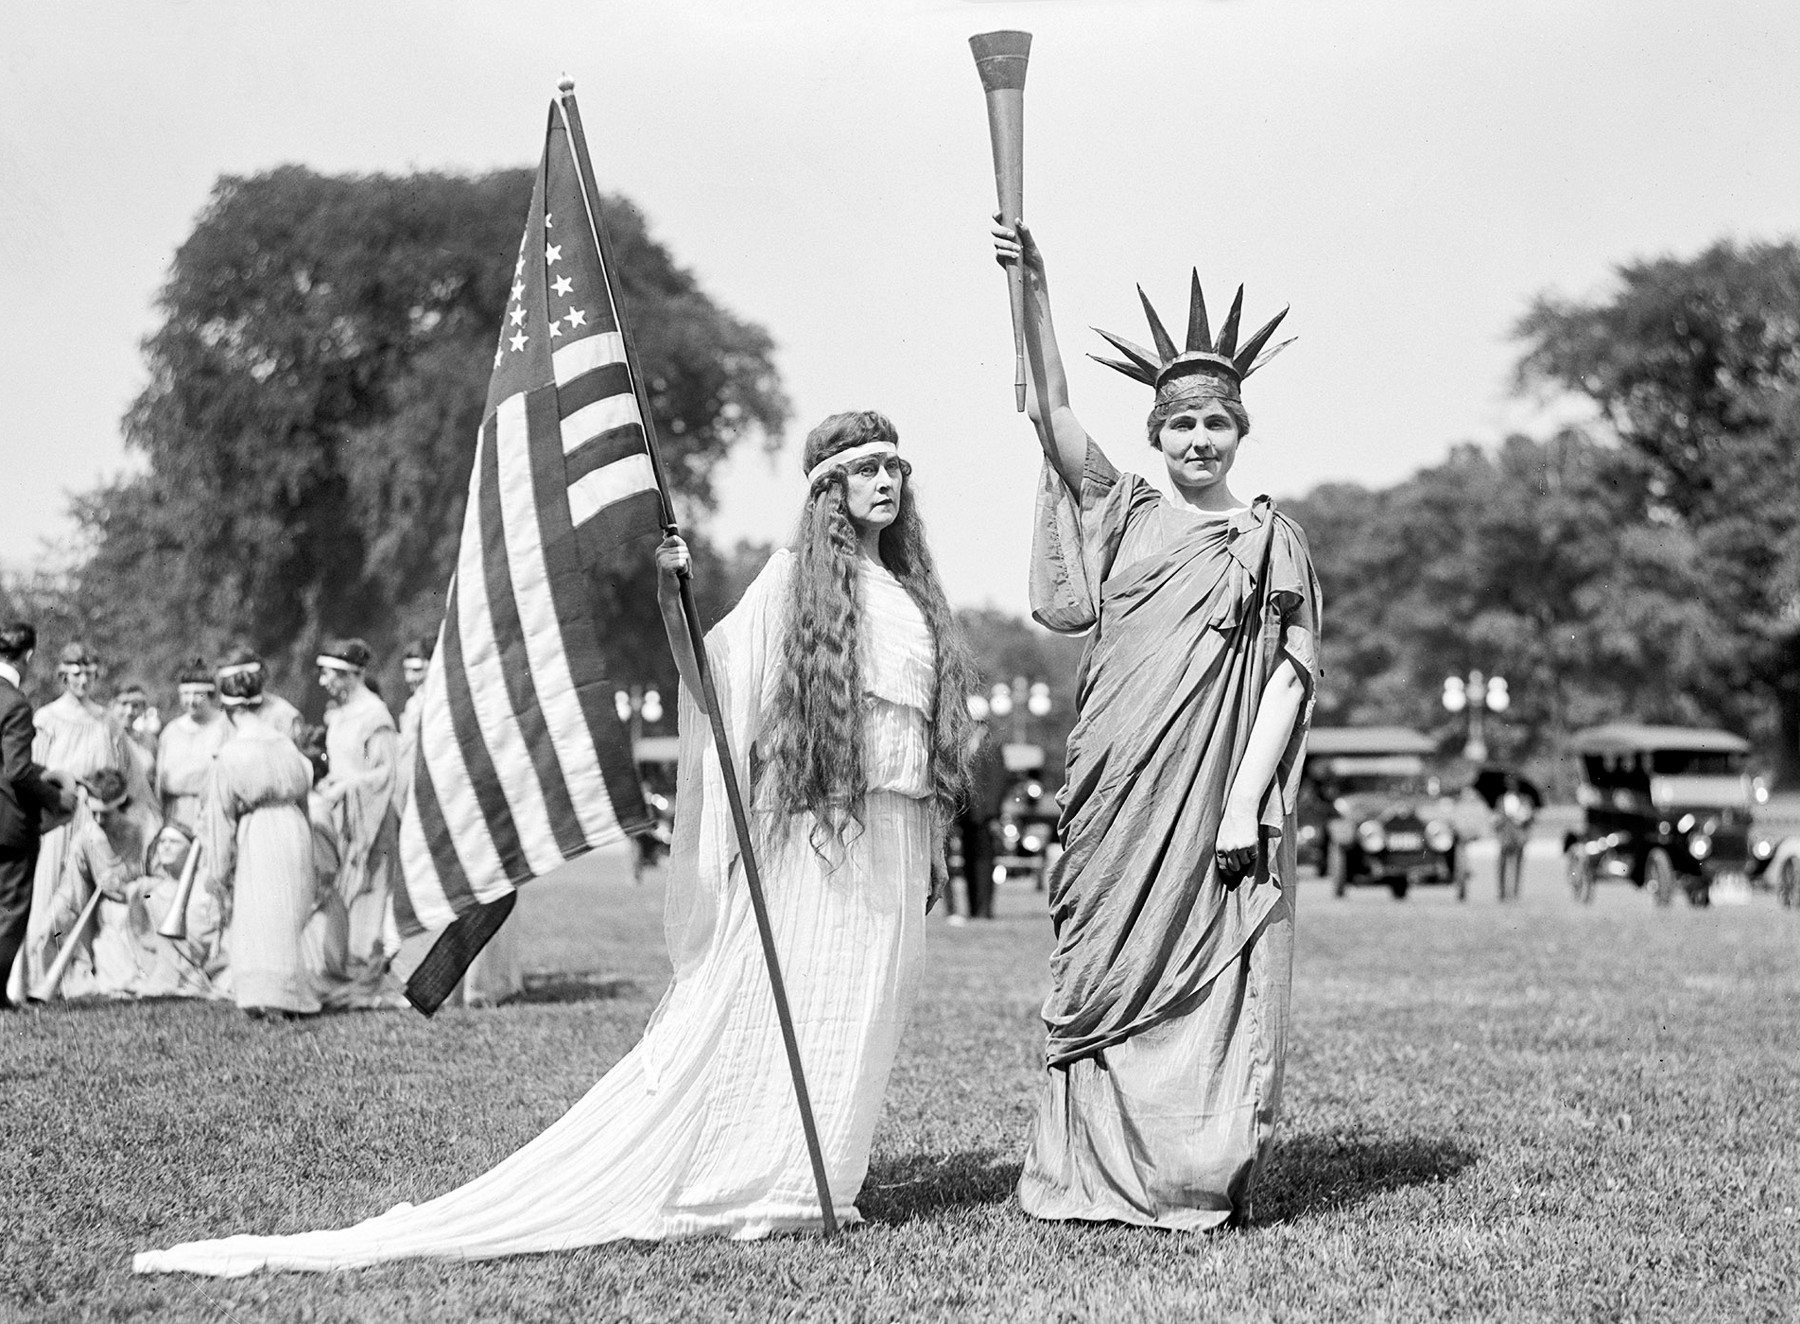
[1371, 812]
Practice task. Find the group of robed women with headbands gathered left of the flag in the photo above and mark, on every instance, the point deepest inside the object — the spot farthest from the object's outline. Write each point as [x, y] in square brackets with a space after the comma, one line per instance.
[294, 827]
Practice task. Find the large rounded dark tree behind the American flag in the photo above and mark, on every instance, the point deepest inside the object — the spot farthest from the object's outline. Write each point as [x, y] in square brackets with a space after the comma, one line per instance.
[316, 393]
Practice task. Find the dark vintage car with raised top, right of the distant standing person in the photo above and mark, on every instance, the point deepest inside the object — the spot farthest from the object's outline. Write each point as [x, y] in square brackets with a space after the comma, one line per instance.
[1664, 807]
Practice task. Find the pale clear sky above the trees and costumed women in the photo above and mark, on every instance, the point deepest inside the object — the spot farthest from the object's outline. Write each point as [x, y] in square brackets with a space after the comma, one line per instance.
[1408, 175]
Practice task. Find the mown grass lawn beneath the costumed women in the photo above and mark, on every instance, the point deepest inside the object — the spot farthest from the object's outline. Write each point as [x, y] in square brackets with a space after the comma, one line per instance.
[1527, 1113]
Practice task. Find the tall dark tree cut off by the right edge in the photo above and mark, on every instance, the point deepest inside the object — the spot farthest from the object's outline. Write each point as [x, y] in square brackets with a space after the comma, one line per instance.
[1695, 370]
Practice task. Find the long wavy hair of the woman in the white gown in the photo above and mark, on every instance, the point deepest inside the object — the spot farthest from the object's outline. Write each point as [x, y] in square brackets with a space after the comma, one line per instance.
[814, 758]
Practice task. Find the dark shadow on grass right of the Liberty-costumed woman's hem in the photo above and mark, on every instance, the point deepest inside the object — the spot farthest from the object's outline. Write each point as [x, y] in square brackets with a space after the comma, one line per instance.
[1318, 1174]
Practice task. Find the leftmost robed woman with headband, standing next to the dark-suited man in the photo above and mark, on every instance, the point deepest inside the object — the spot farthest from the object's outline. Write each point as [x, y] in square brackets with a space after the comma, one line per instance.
[75, 737]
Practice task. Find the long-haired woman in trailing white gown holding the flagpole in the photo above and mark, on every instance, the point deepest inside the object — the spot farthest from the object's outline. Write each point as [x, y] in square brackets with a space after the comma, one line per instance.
[843, 684]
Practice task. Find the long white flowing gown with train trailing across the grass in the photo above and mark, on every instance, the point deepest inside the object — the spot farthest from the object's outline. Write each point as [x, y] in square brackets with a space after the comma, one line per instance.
[696, 1131]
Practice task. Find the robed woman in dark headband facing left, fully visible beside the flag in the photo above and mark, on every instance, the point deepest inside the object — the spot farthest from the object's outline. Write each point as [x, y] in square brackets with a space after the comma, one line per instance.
[363, 756]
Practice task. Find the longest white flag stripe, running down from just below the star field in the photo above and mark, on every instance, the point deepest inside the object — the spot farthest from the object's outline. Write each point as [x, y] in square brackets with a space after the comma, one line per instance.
[544, 649]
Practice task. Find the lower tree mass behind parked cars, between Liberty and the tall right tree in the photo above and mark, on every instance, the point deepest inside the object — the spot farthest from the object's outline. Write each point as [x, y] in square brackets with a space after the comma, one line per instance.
[1529, 562]
